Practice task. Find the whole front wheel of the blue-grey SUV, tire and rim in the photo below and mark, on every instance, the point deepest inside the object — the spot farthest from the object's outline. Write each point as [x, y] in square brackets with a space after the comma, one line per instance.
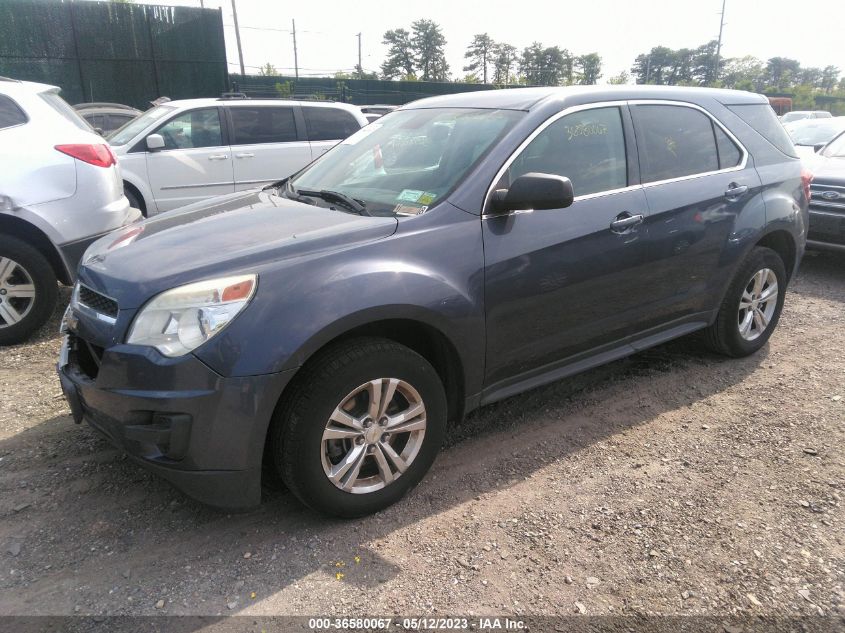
[361, 428]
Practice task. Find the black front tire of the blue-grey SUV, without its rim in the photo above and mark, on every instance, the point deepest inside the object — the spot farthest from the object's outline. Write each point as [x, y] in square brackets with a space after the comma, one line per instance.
[302, 454]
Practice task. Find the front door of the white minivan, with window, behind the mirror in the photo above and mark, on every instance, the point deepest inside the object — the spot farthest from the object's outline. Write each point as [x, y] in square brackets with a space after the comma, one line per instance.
[195, 163]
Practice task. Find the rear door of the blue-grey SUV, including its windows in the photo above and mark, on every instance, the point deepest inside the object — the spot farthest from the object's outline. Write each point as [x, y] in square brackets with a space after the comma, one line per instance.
[697, 178]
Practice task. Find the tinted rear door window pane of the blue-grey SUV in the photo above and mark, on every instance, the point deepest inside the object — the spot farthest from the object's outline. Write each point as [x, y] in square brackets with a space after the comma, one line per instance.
[674, 141]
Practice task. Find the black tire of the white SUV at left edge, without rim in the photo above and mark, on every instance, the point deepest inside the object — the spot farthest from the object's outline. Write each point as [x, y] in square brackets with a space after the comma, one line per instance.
[46, 290]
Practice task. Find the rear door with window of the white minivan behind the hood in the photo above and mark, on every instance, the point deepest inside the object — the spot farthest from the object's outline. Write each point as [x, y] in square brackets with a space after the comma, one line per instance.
[267, 144]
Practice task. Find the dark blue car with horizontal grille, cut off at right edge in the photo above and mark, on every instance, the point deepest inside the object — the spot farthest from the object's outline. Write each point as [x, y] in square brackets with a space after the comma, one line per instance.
[827, 201]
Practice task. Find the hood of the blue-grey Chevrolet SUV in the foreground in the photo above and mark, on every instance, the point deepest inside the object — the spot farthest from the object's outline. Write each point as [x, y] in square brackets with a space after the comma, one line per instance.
[241, 232]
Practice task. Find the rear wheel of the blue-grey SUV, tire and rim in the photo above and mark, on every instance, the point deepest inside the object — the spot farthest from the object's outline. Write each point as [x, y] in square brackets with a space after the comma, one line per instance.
[752, 306]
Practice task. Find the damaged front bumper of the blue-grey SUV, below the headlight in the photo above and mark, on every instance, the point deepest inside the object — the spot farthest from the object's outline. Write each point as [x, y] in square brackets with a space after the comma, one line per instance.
[176, 417]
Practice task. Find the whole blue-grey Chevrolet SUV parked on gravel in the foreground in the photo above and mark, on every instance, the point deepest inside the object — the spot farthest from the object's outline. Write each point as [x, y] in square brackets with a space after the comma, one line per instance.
[471, 247]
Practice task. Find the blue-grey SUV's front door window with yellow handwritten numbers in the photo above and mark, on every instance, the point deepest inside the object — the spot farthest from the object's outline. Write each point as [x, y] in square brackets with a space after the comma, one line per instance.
[588, 147]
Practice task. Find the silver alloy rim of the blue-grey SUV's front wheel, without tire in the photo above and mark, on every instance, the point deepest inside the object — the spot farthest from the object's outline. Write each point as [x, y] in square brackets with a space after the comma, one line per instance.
[373, 435]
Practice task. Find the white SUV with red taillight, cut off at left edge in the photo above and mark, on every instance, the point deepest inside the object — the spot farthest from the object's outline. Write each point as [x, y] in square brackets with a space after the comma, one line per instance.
[60, 189]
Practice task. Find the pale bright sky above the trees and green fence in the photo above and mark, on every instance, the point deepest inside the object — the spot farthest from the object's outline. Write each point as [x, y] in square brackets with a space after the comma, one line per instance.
[618, 30]
